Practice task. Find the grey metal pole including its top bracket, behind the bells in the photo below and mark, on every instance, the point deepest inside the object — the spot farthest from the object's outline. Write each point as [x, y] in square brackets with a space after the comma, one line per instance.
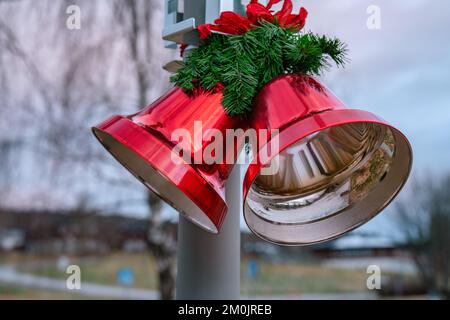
[208, 264]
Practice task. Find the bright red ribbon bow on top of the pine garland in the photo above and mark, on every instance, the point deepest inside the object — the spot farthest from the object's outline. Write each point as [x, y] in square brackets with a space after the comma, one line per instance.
[232, 23]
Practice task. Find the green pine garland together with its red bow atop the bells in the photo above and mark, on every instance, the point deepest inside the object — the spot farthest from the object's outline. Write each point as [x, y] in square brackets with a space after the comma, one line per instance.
[242, 54]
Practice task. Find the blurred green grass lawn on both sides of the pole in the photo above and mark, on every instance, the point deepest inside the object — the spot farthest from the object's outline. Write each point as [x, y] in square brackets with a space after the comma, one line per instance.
[273, 279]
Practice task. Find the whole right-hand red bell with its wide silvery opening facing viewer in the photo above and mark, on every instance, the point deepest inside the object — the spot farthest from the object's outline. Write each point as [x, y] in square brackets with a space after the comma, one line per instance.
[329, 170]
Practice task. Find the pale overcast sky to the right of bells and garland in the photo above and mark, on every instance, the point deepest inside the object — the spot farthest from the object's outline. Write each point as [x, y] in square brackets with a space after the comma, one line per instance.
[401, 72]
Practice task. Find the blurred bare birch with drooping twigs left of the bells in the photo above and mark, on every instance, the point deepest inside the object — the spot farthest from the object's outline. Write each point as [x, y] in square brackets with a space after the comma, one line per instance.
[106, 66]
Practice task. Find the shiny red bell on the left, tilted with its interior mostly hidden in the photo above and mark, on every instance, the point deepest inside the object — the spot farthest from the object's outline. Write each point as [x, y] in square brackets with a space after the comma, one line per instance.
[144, 144]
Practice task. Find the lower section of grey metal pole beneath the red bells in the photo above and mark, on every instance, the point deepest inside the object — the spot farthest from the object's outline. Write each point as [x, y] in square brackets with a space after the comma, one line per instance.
[208, 264]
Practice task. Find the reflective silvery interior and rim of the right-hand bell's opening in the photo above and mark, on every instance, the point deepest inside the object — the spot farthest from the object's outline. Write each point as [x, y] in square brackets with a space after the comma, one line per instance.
[328, 183]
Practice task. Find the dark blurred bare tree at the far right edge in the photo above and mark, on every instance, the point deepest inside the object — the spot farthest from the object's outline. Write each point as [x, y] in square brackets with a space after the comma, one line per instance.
[424, 219]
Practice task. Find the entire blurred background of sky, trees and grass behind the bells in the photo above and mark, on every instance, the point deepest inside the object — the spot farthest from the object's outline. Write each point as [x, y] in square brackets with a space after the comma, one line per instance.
[64, 201]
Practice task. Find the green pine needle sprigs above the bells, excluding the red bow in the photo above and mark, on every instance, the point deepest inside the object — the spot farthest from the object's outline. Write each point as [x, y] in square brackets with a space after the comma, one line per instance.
[243, 64]
